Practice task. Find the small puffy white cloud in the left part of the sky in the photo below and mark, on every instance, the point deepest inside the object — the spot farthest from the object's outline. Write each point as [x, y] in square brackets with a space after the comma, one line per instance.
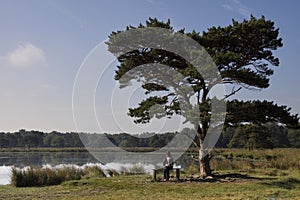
[26, 56]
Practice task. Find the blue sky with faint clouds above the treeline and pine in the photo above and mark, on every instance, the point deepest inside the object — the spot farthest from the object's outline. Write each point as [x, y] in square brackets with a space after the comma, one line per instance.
[43, 44]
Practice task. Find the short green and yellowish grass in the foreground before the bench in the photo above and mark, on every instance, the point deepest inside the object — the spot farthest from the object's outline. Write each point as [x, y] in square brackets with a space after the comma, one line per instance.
[260, 184]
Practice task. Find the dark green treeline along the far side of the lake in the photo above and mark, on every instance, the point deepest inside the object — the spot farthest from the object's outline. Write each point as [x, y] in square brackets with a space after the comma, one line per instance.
[246, 136]
